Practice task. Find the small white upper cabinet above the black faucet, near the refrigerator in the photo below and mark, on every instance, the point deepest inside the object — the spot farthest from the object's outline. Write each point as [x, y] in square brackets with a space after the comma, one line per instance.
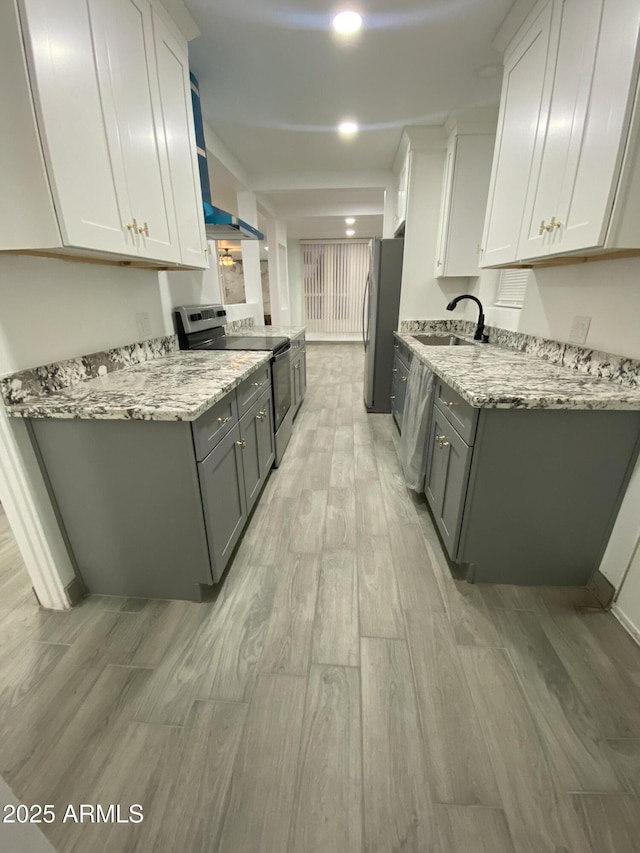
[464, 195]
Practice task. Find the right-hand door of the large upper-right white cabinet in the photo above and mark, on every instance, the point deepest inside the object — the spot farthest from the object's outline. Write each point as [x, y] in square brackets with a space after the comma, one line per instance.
[598, 144]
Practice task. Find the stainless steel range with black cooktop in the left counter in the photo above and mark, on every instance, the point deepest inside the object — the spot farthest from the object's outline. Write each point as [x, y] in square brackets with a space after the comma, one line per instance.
[202, 327]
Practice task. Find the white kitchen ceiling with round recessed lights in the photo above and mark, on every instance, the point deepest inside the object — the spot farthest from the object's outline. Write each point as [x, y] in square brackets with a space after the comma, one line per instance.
[274, 84]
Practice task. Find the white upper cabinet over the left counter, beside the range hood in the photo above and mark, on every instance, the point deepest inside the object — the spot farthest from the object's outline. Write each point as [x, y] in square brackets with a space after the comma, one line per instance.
[92, 76]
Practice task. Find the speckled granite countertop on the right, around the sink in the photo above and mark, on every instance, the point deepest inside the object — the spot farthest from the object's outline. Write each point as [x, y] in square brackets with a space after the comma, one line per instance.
[489, 376]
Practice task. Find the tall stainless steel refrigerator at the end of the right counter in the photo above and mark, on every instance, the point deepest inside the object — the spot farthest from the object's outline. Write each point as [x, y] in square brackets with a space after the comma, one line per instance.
[380, 311]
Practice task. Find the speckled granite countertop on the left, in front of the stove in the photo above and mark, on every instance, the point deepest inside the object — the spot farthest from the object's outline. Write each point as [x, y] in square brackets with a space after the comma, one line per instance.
[180, 386]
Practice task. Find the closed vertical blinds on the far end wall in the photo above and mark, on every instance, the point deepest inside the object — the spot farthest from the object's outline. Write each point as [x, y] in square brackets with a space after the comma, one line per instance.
[334, 278]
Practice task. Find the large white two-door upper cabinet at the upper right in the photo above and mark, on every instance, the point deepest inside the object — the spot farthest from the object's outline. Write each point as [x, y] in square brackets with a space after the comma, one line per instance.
[565, 177]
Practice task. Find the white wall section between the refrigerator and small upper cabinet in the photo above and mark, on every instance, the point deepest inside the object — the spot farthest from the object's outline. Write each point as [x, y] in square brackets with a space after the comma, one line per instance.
[424, 296]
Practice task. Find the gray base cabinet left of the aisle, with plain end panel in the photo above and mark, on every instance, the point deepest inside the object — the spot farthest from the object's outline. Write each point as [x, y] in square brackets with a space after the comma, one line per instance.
[155, 509]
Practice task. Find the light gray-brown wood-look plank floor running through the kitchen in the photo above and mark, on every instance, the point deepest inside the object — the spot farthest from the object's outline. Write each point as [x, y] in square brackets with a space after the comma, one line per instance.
[342, 693]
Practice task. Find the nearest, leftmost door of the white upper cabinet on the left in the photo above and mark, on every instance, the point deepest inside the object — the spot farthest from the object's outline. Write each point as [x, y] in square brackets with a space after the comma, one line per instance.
[88, 184]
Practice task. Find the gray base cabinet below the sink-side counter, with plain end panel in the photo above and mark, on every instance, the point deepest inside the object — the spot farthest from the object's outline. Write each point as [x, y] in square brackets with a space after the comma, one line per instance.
[527, 496]
